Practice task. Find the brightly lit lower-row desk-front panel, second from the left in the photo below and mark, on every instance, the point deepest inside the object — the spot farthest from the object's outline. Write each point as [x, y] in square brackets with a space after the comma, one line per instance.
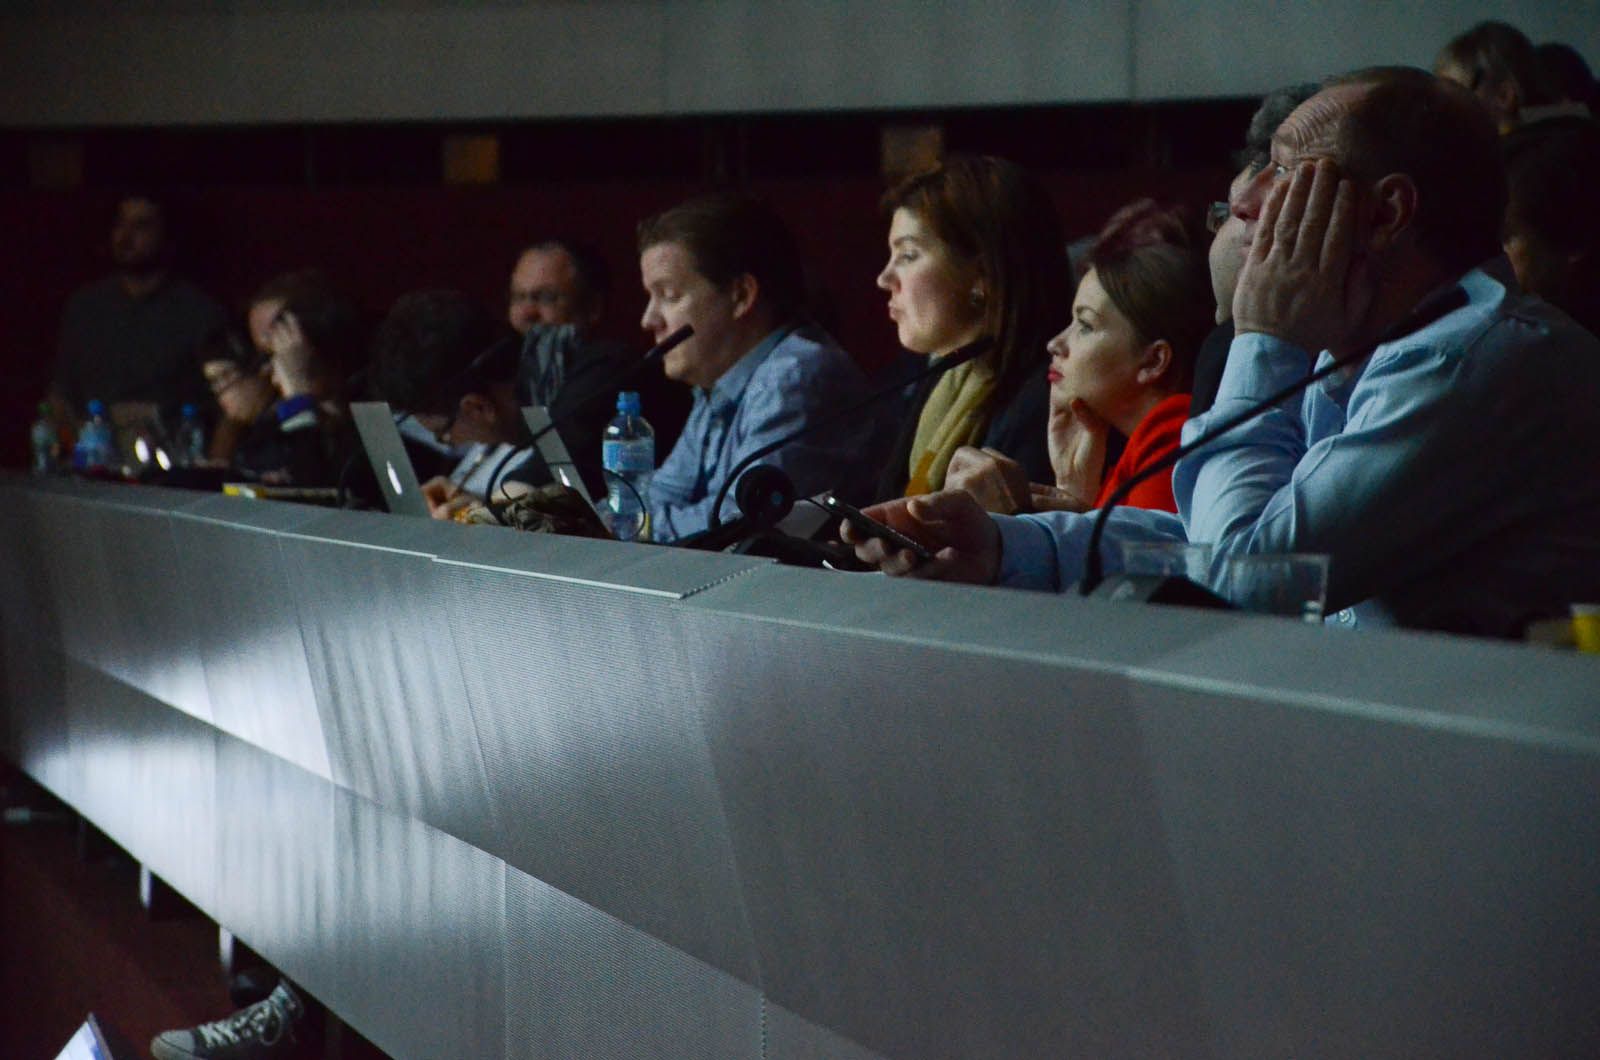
[146, 777]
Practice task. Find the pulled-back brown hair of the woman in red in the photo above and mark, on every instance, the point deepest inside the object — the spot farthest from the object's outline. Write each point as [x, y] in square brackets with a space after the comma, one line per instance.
[1148, 263]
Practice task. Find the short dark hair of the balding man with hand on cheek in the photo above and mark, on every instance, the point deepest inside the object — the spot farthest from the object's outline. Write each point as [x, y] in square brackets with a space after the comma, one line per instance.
[1442, 139]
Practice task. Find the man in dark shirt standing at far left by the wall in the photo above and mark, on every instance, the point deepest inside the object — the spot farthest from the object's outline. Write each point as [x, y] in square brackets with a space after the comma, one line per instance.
[130, 339]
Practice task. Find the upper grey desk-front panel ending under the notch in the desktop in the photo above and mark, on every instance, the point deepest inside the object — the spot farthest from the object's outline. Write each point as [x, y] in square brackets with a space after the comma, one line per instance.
[588, 712]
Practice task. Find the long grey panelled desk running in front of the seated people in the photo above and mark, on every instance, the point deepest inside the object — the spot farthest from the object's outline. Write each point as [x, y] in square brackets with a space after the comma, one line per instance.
[497, 795]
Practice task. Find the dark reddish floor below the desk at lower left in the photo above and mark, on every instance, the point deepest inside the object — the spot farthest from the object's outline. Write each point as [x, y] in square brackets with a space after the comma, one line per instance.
[74, 941]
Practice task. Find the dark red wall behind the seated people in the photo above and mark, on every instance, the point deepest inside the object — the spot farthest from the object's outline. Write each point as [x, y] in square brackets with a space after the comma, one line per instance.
[383, 243]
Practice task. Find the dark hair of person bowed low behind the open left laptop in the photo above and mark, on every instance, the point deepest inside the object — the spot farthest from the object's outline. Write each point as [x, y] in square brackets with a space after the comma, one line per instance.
[434, 348]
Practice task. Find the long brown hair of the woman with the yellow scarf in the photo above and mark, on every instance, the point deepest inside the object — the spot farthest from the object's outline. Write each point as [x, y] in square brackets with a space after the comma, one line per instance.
[999, 217]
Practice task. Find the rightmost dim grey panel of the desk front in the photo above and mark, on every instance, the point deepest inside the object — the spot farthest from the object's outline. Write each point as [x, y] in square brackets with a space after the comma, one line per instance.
[1380, 889]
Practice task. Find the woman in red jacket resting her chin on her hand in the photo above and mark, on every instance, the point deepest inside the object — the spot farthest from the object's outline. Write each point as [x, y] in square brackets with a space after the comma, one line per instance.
[1124, 364]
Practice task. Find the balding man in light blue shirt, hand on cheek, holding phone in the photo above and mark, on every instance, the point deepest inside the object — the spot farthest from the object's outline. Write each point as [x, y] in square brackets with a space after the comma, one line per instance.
[1447, 472]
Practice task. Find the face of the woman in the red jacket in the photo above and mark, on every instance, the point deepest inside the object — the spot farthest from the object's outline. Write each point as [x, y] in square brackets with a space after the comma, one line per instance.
[1098, 356]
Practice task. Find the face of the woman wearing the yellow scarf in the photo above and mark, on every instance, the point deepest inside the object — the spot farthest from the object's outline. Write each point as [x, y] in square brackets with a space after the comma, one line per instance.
[935, 300]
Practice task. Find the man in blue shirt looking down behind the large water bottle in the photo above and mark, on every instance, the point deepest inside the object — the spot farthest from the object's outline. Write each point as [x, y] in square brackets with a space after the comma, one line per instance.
[727, 267]
